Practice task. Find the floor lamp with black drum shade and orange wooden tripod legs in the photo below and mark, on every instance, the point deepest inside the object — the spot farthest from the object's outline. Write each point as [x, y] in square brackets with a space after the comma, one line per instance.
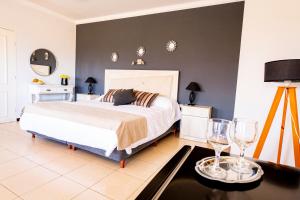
[286, 71]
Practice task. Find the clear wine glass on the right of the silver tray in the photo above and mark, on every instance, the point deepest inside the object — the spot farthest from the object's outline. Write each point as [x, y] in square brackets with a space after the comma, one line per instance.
[243, 134]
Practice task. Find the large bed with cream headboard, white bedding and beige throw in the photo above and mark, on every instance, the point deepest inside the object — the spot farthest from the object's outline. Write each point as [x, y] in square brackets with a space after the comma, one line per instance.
[160, 118]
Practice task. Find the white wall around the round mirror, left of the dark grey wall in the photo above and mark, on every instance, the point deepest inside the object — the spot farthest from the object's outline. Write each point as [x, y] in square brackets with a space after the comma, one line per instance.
[36, 29]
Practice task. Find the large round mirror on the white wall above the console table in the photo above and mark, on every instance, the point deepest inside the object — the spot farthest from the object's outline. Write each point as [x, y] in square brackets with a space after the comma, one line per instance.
[43, 62]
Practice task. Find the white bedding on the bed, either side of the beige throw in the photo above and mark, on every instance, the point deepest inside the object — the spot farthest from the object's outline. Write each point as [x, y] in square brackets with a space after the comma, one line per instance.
[160, 117]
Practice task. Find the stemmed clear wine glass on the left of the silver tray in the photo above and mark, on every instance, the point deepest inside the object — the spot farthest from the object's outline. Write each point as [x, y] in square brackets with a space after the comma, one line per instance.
[217, 135]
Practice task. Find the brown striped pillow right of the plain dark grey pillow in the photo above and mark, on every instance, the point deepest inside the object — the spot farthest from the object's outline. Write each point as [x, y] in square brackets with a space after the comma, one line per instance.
[144, 98]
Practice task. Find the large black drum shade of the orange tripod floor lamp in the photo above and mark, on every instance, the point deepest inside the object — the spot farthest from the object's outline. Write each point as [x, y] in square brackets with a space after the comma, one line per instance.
[282, 70]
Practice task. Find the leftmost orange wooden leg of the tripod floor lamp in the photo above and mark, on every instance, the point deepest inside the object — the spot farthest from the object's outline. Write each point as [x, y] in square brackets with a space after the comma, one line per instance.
[268, 122]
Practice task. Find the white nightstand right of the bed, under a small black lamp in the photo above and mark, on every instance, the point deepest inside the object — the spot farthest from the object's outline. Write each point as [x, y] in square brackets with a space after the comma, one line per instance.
[194, 122]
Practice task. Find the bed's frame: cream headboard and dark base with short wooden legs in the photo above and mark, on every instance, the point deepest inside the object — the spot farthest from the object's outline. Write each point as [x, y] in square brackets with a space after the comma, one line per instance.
[145, 80]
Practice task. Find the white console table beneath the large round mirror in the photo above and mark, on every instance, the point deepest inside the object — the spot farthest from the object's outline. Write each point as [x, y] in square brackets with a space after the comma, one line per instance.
[37, 90]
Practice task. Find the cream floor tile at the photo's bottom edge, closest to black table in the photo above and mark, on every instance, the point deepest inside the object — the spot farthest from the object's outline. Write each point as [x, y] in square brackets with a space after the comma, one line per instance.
[118, 186]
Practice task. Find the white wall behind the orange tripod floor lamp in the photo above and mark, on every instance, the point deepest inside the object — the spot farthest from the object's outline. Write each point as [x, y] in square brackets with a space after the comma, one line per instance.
[271, 31]
